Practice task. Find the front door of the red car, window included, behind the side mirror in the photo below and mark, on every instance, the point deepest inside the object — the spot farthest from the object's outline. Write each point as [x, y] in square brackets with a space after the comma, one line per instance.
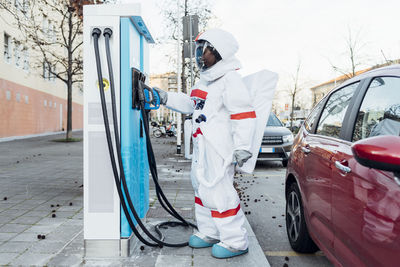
[366, 202]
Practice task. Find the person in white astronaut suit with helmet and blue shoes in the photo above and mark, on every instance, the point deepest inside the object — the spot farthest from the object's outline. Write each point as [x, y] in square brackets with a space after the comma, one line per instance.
[224, 120]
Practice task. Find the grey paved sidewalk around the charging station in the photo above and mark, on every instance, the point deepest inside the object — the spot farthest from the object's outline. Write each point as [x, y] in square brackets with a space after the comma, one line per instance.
[37, 173]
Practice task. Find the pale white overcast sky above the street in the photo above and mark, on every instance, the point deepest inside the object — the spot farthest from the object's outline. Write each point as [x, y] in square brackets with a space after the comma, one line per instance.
[277, 35]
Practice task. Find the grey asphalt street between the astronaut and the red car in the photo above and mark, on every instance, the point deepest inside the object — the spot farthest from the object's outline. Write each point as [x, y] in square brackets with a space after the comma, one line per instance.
[263, 200]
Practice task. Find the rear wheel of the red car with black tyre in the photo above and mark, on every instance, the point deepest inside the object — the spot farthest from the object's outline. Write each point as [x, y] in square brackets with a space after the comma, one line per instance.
[296, 227]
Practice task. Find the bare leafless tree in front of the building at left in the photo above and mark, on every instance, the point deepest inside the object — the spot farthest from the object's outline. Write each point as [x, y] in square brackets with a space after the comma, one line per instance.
[53, 29]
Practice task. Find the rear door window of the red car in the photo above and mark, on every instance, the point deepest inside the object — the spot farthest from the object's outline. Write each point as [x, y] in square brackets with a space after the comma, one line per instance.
[331, 120]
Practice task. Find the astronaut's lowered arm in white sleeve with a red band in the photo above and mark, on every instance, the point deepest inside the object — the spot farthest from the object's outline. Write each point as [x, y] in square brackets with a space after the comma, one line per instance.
[242, 114]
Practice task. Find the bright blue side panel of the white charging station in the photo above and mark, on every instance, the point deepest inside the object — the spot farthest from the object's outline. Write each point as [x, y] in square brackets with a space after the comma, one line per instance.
[133, 136]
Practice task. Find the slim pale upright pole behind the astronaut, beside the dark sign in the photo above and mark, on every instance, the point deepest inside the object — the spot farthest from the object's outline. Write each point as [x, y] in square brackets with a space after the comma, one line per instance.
[178, 79]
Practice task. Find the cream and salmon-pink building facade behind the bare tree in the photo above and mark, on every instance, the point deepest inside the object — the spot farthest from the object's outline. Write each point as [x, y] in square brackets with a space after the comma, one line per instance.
[32, 100]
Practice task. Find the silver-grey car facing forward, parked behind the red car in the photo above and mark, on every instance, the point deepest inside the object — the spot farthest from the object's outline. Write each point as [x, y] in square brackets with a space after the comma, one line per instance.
[277, 141]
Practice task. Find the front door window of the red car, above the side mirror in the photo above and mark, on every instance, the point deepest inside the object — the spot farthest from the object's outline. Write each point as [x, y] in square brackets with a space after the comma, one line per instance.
[379, 113]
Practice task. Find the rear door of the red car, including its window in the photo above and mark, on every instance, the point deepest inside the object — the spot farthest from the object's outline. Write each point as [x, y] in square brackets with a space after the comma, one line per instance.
[319, 149]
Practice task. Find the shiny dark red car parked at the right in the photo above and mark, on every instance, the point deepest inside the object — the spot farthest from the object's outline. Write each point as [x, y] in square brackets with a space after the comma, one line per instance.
[343, 175]
